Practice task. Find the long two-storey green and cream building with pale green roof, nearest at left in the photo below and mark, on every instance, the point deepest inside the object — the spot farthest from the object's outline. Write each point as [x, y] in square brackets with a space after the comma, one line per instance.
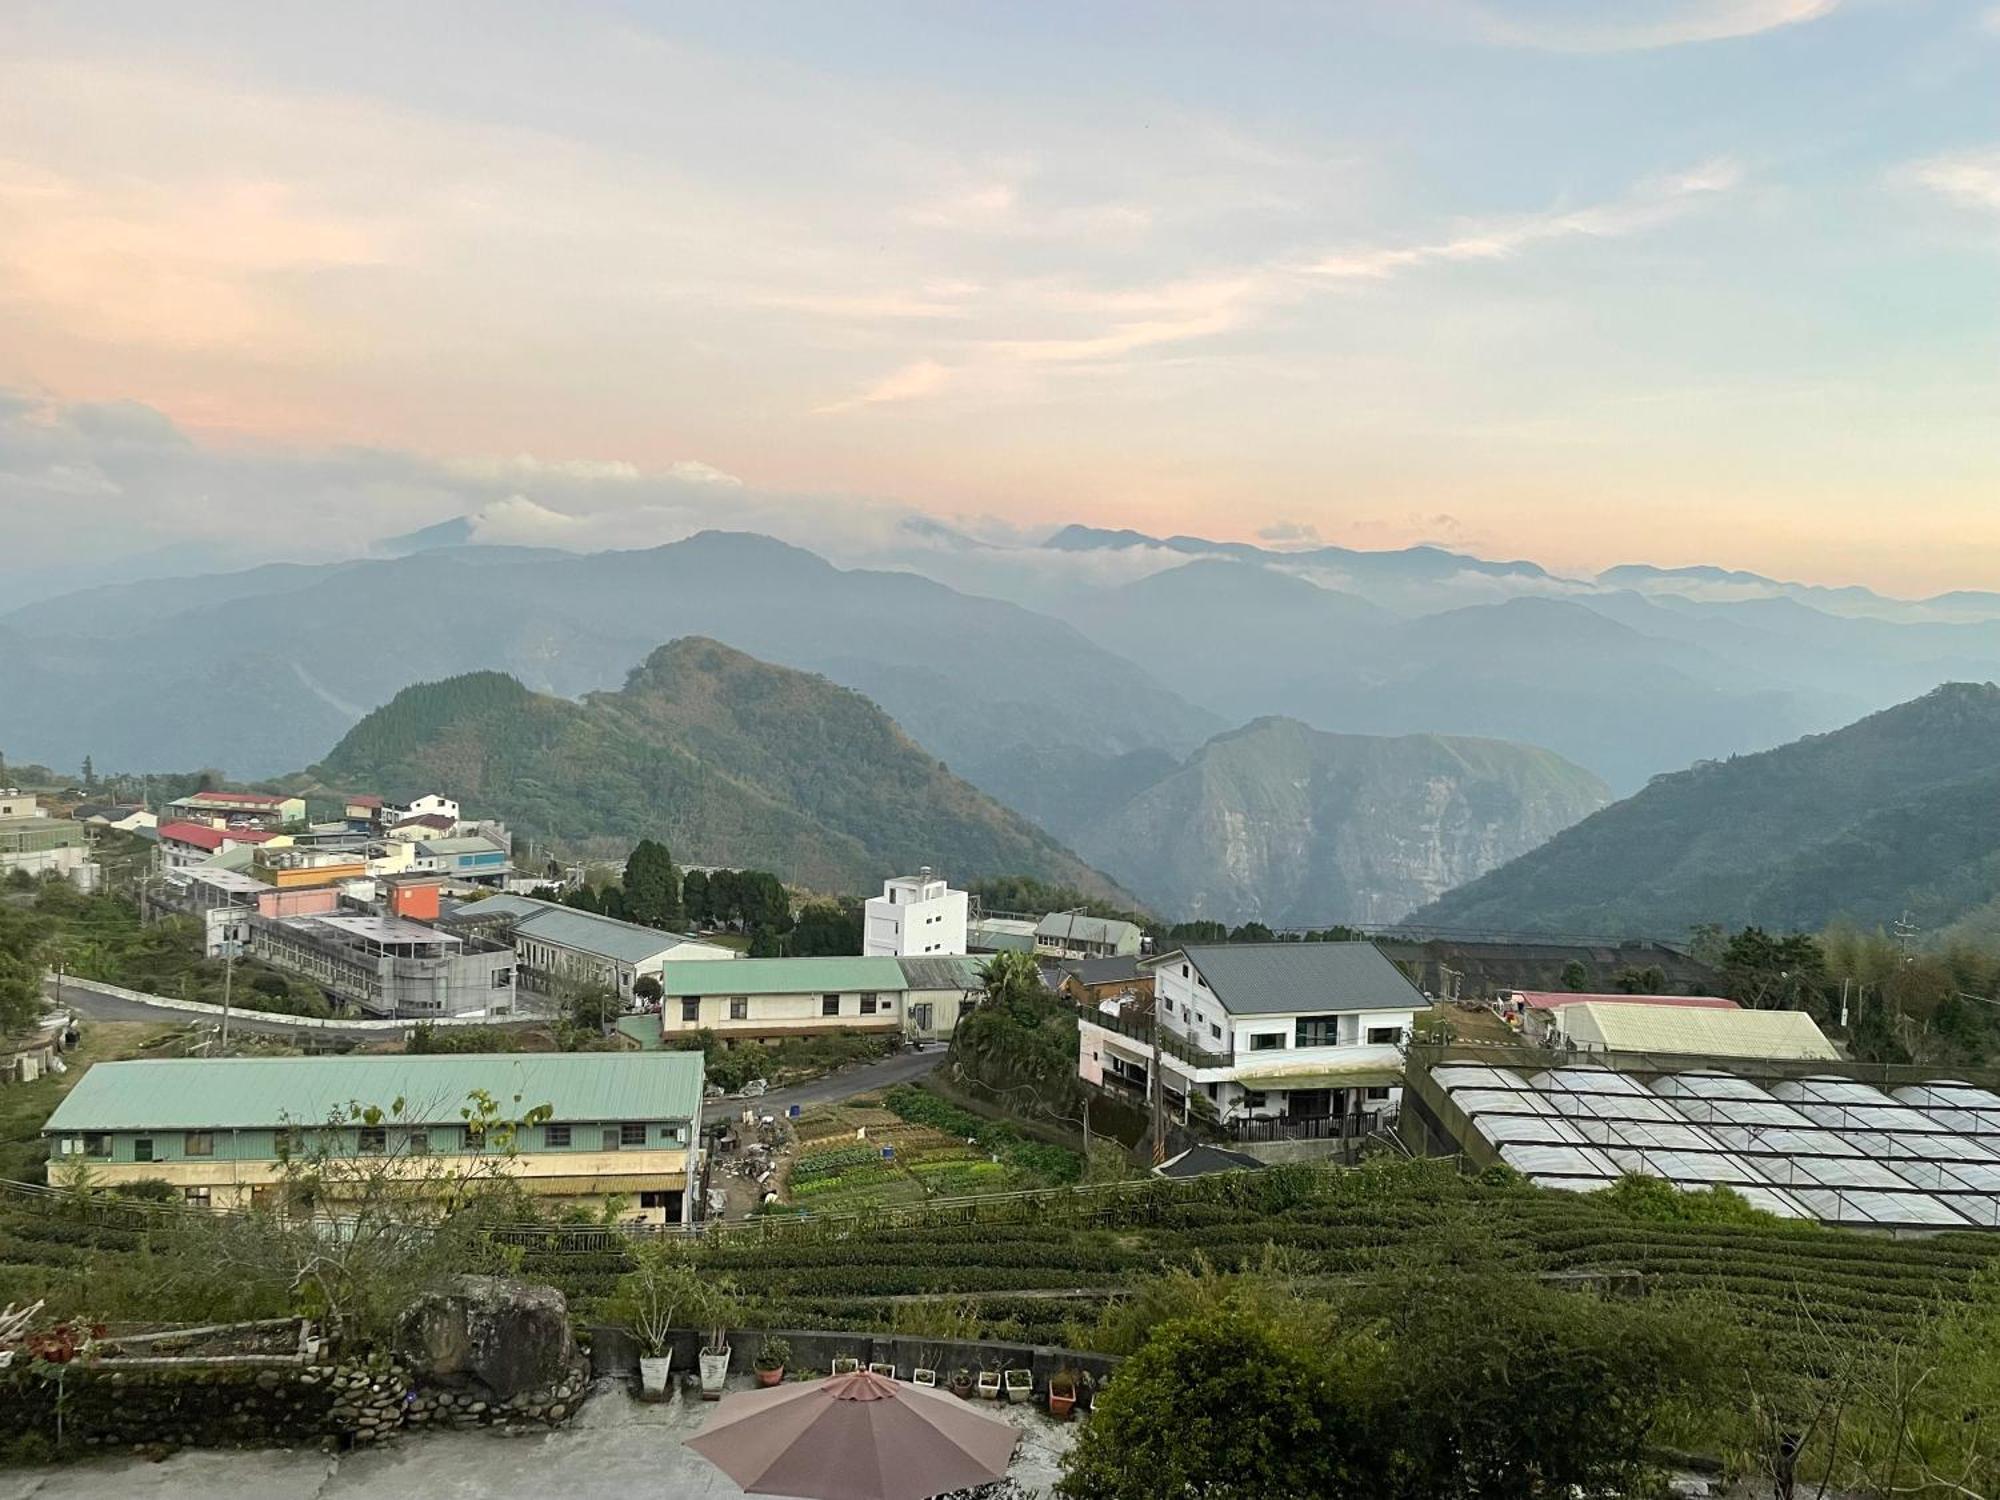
[621, 1125]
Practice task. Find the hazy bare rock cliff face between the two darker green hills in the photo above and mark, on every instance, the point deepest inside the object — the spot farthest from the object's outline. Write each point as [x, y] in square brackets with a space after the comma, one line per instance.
[1293, 827]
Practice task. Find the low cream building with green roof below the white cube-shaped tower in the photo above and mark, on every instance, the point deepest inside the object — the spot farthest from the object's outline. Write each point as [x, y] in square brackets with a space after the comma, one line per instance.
[773, 999]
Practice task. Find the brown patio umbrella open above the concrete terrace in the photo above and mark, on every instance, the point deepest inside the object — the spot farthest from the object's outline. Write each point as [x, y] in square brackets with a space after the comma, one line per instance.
[855, 1437]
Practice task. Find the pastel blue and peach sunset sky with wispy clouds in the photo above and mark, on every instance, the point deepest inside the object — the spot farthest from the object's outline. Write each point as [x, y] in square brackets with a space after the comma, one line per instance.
[1659, 281]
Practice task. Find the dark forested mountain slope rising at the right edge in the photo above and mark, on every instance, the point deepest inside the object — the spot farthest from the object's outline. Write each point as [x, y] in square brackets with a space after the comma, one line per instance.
[1897, 813]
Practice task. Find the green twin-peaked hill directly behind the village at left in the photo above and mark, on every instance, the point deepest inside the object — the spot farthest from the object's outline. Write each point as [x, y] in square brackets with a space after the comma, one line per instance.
[729, 759]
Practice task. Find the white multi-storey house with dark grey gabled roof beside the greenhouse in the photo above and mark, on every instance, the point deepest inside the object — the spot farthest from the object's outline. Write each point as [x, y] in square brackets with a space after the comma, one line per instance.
[1281, 1033]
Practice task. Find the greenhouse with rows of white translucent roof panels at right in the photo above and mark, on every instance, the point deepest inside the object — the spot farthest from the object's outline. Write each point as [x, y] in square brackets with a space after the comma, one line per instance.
[1825, 1149]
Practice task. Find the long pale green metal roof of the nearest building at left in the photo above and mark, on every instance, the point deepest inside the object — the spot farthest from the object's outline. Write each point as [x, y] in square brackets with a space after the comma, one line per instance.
[265, 1093]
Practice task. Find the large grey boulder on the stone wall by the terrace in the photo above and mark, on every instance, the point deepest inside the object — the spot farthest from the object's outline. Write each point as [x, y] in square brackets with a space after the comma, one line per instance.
[503, 1335]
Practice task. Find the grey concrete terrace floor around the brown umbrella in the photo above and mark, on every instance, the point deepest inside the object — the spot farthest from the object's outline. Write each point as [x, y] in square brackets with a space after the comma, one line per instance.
[615, 1451]
